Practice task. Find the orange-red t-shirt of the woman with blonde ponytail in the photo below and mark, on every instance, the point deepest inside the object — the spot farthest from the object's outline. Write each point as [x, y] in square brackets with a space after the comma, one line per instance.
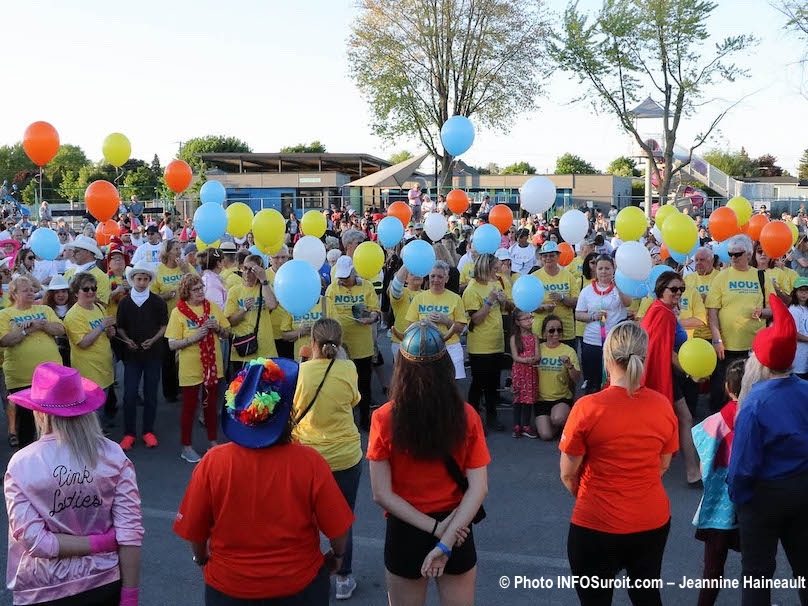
[621, 438]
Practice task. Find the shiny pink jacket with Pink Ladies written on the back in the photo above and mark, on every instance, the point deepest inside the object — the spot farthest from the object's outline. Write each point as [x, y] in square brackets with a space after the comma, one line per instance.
[48, 492]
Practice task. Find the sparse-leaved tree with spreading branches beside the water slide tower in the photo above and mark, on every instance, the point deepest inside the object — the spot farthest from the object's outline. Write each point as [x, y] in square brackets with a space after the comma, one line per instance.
[633, 45]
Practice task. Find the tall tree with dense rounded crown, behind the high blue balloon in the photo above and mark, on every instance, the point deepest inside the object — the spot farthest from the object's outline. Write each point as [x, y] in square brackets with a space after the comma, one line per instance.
[420, 62]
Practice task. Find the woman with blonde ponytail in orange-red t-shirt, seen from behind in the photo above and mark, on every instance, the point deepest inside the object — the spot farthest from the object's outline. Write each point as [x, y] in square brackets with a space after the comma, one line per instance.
[616, 446]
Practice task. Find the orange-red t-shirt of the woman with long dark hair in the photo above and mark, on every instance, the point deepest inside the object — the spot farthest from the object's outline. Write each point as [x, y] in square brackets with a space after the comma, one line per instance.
[425, 484]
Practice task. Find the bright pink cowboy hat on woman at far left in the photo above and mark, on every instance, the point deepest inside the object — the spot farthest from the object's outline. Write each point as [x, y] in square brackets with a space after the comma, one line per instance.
[60, 391]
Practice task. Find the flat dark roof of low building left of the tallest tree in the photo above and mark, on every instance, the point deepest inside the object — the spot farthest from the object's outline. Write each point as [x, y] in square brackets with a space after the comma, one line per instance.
[354, 165]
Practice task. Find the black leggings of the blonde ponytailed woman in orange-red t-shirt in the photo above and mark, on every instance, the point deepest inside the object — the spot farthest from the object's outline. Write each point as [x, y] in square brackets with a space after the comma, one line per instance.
[593, 553]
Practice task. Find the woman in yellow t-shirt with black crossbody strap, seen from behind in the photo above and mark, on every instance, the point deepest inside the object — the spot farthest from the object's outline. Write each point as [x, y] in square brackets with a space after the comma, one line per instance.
[326, 394]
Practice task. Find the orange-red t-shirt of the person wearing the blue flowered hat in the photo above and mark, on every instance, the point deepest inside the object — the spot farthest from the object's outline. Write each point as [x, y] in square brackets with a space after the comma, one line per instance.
[263, 510]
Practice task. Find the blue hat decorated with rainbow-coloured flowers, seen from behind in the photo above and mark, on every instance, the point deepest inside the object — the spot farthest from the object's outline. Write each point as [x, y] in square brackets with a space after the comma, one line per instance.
[258, 402]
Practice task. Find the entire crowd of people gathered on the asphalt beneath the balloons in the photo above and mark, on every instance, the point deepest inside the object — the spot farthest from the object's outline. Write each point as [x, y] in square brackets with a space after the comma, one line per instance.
[592, 367]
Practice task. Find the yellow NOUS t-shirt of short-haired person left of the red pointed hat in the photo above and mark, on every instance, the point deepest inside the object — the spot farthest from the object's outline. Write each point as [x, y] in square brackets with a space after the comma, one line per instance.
[736, 294]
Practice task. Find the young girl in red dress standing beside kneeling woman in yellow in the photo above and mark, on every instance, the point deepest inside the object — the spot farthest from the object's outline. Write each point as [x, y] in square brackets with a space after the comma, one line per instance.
[525, 355]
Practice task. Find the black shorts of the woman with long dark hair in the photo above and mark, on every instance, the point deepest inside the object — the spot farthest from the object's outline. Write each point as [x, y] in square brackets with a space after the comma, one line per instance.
[405, 548]
